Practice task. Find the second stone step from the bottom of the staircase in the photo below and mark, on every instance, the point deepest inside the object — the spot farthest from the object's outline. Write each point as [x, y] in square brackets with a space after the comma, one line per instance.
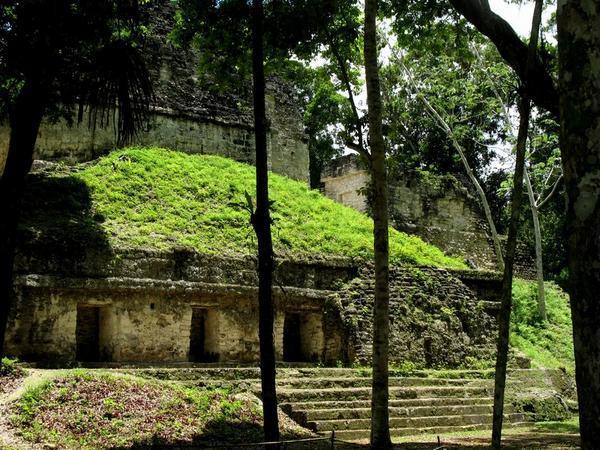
[322, 426]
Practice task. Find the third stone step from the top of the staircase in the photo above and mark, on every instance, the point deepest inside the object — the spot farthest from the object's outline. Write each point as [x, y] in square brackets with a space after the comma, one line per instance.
[364, 393]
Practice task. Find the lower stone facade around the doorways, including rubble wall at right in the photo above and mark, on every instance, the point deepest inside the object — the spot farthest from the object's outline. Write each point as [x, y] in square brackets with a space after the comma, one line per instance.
[146, 302]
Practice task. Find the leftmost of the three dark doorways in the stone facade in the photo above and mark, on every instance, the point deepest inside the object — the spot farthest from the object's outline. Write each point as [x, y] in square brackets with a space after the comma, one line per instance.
[88, 333]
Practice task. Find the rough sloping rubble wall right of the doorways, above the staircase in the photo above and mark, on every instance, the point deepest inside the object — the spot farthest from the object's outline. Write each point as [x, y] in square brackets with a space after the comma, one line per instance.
[435, 320]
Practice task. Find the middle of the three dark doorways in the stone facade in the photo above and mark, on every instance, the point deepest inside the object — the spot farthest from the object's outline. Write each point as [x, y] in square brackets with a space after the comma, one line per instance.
[203, 333]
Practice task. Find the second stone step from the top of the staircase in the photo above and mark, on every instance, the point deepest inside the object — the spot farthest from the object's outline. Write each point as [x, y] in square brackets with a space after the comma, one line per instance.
[346, 382]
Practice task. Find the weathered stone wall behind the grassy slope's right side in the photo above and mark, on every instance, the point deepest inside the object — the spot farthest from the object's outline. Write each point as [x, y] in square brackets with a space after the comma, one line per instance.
[440, 210]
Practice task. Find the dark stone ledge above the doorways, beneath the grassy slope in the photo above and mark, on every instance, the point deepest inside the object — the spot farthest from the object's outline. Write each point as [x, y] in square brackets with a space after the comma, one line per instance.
[182, 264]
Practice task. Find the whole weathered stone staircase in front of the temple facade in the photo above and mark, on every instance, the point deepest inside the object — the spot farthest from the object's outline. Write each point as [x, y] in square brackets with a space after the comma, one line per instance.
[330, 399]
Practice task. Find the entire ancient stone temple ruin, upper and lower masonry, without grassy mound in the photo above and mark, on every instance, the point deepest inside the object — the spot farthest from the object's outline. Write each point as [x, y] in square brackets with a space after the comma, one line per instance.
[79, 299]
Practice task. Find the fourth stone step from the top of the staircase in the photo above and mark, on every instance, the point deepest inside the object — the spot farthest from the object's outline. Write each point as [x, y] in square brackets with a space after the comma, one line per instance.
[437, 401]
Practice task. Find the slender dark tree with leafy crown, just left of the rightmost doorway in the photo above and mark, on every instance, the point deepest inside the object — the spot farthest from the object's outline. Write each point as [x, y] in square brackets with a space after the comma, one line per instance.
[223, 29]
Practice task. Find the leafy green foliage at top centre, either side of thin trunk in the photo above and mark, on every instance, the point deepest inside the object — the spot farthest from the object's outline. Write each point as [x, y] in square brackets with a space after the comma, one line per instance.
[221, 31]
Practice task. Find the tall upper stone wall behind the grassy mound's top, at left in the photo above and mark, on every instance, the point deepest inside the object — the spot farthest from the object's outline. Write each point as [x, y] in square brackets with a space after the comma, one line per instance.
[188, 115]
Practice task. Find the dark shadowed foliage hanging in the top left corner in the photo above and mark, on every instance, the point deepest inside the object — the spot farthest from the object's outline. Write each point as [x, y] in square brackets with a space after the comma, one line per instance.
[76, 53]
